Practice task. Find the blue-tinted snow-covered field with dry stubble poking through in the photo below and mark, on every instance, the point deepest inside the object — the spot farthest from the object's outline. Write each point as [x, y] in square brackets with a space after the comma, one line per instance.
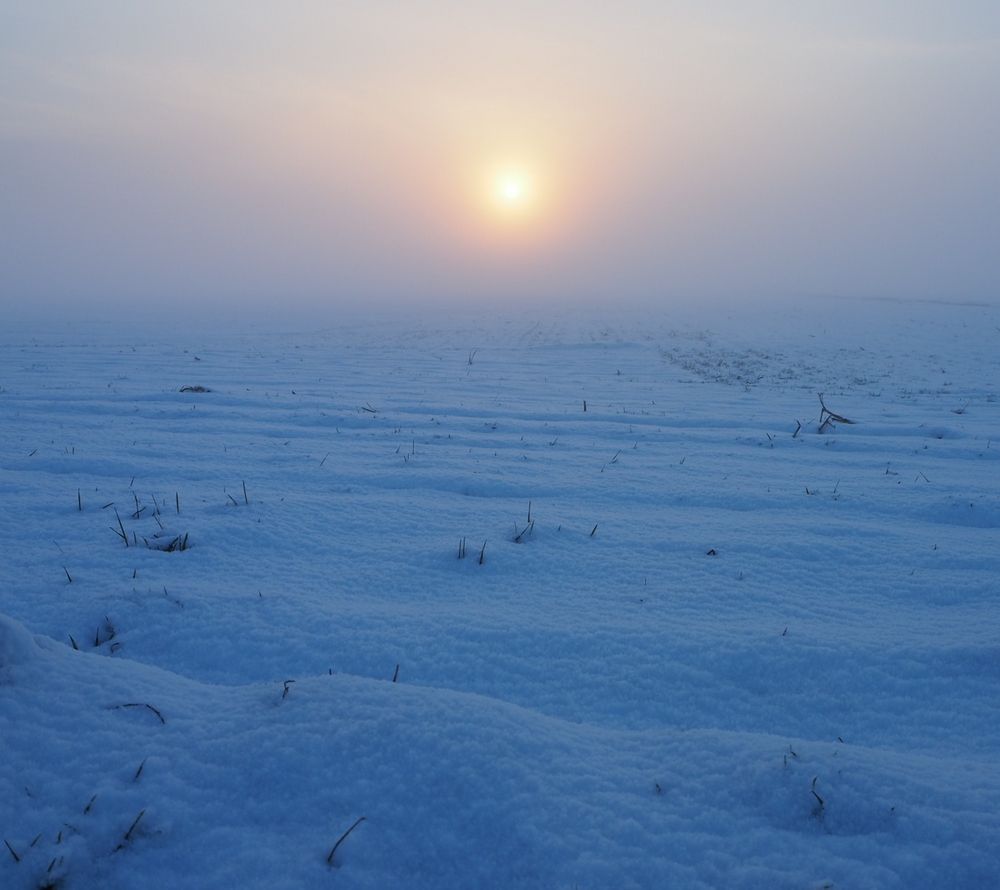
[726, 649]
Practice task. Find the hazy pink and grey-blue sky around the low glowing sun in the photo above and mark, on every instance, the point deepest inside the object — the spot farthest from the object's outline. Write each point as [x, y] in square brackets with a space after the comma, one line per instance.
[287, 153]
